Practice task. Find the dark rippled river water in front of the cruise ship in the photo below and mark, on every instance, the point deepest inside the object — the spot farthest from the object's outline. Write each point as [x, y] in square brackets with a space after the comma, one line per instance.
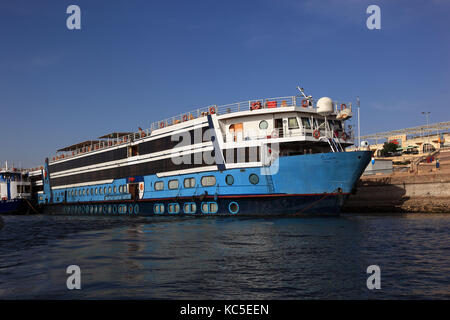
[225, 257]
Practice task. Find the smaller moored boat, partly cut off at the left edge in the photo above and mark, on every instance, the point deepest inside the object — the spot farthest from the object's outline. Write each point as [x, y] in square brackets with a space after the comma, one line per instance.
[15, 191]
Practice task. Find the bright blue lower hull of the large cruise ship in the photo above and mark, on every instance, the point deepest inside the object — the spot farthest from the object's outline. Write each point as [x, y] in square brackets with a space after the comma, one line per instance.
[316, 184]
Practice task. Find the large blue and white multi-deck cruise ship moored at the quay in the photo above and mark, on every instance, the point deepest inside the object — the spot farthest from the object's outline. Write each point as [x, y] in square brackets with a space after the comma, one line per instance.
[276, 156]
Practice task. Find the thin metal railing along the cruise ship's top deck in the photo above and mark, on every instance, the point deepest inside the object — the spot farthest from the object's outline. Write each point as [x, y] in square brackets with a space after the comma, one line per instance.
[254, 104]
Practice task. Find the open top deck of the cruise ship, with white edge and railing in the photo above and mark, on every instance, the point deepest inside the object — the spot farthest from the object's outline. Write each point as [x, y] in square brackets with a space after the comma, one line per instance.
[279, 104]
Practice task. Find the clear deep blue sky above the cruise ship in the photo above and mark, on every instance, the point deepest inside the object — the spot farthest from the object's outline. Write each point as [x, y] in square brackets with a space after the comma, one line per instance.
[134, 62]
